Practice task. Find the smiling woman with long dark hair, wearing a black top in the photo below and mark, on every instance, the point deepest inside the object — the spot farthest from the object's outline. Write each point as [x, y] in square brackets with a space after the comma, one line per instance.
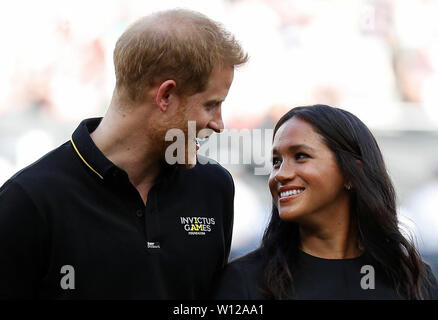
[334, 230]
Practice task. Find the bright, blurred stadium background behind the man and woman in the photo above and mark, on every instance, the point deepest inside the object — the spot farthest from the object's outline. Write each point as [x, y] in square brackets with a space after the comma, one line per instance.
[375, 58]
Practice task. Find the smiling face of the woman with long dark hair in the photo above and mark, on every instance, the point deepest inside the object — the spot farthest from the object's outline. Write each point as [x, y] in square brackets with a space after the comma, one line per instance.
[306, 182]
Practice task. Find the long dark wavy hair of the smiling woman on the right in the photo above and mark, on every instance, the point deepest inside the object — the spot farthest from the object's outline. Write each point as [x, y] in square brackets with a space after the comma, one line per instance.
[372, 207]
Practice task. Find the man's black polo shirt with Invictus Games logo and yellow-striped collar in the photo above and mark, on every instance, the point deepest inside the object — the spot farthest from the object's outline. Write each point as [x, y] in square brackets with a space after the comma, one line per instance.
[73, 226]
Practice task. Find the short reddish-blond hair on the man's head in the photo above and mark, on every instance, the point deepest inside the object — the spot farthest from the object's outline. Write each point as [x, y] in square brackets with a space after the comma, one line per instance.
[178, 44]
